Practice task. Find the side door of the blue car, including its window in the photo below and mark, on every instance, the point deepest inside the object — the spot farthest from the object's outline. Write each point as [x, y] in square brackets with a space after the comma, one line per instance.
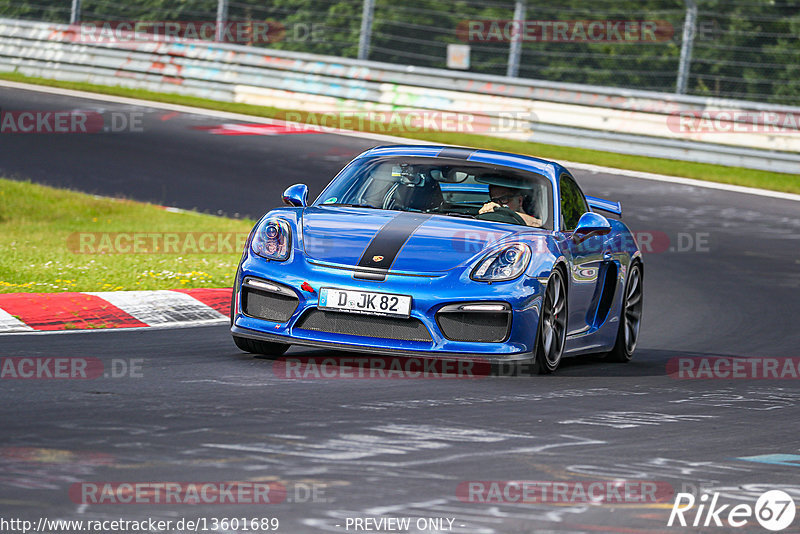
[585, 256]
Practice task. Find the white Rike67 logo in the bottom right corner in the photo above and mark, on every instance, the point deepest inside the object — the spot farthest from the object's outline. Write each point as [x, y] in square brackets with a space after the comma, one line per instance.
[774, 510]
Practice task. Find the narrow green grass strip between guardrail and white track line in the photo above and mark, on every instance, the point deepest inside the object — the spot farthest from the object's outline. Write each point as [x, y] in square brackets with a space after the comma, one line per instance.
[701, 171]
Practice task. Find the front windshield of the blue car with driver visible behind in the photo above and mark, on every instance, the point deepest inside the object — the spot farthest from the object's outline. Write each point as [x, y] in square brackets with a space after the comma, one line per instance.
[452, 187]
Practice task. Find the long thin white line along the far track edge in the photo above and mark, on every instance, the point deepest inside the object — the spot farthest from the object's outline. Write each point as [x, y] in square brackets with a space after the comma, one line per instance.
[388, 138]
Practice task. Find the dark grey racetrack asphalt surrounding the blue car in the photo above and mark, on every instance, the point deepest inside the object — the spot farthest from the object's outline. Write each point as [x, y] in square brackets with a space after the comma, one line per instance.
[723, 280]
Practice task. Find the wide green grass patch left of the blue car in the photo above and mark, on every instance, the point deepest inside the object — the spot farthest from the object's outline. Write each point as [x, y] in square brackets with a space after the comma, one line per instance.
[41, 228]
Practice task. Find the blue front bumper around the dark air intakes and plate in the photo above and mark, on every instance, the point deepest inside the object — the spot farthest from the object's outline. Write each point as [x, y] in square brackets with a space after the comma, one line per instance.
[430, 293]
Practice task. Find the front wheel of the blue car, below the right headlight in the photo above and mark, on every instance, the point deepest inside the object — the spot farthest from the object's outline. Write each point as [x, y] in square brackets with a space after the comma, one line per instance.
[552, 332]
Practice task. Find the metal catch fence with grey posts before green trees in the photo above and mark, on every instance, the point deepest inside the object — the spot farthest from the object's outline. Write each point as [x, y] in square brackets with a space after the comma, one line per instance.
[745, 49]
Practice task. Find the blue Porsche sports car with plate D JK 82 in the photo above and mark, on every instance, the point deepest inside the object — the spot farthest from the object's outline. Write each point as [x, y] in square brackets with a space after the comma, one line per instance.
[438, 251]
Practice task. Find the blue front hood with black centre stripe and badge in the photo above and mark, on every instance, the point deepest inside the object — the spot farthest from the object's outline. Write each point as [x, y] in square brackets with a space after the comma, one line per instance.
[400, 241]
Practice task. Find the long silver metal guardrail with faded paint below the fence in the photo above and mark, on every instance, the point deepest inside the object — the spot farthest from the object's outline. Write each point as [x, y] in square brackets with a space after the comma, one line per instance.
[625, 121]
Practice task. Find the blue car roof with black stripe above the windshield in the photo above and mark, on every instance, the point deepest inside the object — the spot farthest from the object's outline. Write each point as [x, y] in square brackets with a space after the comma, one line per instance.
[546, 168]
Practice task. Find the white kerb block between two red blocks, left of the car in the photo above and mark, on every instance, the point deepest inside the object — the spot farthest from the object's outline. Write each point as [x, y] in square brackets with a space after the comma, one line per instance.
[160, 307]
